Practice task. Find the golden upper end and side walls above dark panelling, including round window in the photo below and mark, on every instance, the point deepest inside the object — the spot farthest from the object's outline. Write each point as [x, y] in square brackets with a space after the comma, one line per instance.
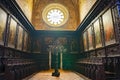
[60, 15]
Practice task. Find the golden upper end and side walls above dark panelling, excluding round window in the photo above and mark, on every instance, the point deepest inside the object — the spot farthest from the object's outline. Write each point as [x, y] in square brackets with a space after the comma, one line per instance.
[77, 9]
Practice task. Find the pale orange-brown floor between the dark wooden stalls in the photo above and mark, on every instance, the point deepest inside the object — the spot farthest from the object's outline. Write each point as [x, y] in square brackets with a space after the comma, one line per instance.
[64, 75]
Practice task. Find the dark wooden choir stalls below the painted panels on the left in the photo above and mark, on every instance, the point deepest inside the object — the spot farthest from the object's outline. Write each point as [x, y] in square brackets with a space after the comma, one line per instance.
[16, 65]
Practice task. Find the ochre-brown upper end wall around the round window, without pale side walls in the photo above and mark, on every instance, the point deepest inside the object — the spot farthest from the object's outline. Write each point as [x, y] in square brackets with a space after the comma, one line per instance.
[71, 5]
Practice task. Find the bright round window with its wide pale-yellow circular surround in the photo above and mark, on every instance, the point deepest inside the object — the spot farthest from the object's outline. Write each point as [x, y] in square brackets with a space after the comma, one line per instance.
[55, 15]
